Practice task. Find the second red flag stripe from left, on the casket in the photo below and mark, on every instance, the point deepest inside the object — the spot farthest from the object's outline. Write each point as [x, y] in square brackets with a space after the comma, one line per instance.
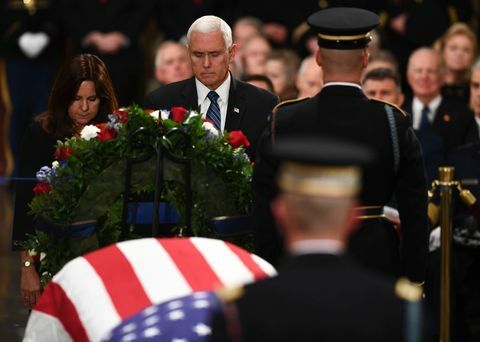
[119, 278]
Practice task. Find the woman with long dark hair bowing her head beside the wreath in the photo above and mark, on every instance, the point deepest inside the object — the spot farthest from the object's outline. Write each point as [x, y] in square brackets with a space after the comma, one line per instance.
[82, 94]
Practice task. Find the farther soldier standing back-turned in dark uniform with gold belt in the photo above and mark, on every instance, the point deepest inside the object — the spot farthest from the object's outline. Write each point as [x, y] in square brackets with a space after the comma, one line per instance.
[342, 110]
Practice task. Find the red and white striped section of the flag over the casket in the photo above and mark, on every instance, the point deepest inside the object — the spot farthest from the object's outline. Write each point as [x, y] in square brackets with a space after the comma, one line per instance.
[92, 294]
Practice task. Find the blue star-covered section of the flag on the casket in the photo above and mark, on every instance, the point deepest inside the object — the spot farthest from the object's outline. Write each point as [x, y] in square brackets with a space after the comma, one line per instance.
[183, 319]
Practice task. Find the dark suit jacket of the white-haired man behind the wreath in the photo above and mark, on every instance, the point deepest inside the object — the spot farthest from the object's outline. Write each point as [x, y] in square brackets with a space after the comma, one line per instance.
[254, 106]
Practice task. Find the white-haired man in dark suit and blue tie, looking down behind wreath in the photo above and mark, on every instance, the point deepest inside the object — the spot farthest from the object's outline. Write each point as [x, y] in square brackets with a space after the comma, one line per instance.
[229, 103]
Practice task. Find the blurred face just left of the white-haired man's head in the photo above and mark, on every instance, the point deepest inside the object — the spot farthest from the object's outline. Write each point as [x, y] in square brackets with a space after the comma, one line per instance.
[173, 64]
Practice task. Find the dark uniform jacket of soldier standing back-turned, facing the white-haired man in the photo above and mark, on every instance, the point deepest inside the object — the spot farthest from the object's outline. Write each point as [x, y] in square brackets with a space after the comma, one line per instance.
[345, 112]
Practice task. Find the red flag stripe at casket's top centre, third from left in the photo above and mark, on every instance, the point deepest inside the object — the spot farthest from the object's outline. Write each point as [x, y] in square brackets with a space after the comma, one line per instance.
[192, 264]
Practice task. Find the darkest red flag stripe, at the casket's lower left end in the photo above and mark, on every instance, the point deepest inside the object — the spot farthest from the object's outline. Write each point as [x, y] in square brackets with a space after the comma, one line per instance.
[55, 302]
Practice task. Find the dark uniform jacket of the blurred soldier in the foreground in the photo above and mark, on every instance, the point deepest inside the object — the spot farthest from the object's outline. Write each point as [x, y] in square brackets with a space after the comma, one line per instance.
[319, 297]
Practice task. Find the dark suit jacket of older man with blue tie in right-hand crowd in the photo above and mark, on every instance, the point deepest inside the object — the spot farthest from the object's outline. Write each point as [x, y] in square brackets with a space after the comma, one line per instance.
[454, 123]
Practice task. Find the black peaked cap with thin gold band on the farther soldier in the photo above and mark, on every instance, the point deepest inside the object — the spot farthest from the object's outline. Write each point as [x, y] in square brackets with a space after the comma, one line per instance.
[344, 28]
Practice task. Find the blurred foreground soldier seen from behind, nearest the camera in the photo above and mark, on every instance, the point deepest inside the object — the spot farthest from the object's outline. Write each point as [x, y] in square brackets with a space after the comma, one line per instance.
[320, 294]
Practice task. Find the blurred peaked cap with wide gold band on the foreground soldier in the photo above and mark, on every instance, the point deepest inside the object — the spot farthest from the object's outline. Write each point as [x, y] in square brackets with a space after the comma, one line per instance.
[319, 166]
